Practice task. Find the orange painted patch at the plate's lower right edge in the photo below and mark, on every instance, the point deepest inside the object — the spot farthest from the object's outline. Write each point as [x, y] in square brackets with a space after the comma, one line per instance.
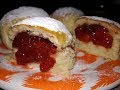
[108, 76]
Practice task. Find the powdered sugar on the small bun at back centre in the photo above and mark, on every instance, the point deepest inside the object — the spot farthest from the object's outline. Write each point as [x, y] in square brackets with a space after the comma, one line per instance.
[67, 10]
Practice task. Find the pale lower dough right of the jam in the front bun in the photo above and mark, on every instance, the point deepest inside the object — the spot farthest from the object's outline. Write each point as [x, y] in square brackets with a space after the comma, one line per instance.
[65, 59]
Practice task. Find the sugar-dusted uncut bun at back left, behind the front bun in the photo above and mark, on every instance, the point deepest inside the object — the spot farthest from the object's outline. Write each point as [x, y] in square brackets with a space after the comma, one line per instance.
[15, 16]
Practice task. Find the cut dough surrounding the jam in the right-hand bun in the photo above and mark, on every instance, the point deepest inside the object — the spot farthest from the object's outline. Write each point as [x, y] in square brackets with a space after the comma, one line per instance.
[114, 30]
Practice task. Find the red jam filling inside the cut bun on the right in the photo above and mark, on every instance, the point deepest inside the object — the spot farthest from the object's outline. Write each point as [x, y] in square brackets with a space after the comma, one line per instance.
[96, 33]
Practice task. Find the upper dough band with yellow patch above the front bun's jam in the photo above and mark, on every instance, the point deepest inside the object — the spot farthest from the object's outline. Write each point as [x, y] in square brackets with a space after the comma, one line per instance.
[59, 39]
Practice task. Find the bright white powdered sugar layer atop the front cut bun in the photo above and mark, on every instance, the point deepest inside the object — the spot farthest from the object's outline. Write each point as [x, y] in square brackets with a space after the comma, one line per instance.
[47, 22]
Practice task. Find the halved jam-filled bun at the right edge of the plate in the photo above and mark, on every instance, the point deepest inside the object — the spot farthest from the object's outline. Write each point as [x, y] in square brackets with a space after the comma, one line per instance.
[98, 36]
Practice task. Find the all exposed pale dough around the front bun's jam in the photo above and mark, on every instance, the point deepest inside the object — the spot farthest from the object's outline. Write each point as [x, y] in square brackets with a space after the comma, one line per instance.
[65, 55]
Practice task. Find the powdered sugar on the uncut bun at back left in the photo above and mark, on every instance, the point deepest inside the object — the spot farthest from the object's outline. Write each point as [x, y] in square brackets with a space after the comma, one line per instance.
[24, 11]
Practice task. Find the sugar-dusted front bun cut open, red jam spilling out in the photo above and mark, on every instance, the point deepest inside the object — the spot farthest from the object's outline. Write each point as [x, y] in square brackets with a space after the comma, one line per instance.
[44, 41]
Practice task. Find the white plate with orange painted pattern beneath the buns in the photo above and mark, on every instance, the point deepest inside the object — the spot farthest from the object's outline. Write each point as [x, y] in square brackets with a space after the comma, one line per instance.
[89, 73]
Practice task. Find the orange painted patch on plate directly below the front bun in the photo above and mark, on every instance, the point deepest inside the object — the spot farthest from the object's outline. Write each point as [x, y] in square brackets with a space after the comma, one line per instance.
[45, 84]
